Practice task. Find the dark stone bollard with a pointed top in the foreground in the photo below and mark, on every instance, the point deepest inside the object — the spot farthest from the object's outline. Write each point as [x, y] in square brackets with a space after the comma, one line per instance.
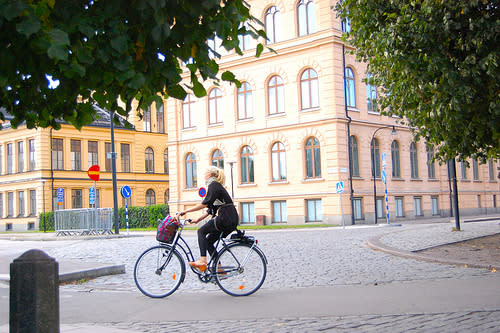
[34, 293]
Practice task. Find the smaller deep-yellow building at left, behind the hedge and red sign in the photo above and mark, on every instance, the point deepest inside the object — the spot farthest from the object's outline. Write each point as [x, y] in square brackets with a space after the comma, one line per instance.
[35, 164]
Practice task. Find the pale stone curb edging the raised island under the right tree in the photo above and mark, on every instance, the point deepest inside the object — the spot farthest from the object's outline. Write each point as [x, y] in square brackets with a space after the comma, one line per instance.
[375, 244]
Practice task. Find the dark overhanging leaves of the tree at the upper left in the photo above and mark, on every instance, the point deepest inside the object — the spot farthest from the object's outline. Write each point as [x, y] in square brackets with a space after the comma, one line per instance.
[106, 51]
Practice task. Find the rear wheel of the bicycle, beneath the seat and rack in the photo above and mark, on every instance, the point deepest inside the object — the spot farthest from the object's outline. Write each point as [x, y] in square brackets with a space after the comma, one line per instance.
[240, 270]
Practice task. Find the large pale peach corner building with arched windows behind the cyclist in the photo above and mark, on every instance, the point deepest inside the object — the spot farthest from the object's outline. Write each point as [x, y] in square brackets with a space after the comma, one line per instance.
[282, 138]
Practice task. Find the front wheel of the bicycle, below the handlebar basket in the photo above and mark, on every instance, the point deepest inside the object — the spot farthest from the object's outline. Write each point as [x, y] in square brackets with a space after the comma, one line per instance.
[159, 271]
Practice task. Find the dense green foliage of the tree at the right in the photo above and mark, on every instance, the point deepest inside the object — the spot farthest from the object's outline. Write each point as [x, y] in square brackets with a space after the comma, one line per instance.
[437, 64]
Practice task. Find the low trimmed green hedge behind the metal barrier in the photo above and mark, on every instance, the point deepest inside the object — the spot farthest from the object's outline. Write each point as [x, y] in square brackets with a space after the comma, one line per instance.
[138, 217]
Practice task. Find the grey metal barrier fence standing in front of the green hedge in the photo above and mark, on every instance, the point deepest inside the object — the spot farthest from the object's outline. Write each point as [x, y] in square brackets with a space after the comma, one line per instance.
[86, 221]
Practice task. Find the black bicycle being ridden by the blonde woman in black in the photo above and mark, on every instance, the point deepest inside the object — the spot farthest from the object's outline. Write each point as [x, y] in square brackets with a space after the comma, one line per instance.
[239, 268]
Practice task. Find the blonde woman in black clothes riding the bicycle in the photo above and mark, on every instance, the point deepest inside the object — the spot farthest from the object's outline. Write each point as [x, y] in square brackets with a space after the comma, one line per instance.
[224, 215]
